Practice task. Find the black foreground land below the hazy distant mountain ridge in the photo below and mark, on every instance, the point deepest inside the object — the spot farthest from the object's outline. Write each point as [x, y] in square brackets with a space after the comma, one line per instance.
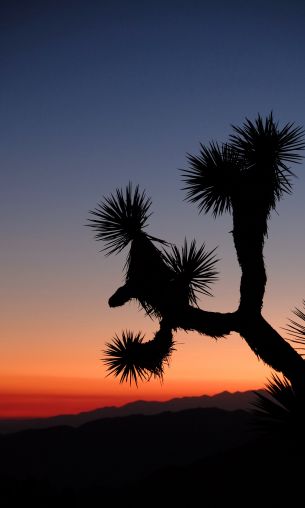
[207, 457]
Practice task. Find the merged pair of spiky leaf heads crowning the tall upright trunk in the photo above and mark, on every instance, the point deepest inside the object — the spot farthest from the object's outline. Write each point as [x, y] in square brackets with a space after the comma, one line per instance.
[251, 169]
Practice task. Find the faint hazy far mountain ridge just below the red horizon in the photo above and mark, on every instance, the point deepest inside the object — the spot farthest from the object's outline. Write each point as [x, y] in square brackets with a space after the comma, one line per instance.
[224, 400]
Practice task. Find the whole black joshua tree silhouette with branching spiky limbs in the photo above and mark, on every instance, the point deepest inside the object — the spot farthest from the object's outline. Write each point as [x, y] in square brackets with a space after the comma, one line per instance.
[245, 177]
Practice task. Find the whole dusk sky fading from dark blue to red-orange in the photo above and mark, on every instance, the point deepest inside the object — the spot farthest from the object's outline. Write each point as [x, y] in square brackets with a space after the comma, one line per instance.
[97, 93]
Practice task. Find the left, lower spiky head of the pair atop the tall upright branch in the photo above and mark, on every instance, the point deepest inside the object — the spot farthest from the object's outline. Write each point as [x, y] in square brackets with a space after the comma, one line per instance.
[211, 178]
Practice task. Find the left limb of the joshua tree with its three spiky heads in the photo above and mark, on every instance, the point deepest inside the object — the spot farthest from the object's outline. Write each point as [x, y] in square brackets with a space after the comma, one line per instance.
[161, 281]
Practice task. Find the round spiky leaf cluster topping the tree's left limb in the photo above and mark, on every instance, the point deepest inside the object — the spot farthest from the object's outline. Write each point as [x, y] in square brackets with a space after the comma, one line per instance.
[120, 218]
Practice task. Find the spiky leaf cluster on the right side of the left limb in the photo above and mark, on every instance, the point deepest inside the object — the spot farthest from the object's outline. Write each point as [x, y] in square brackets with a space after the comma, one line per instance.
[194, 270]
